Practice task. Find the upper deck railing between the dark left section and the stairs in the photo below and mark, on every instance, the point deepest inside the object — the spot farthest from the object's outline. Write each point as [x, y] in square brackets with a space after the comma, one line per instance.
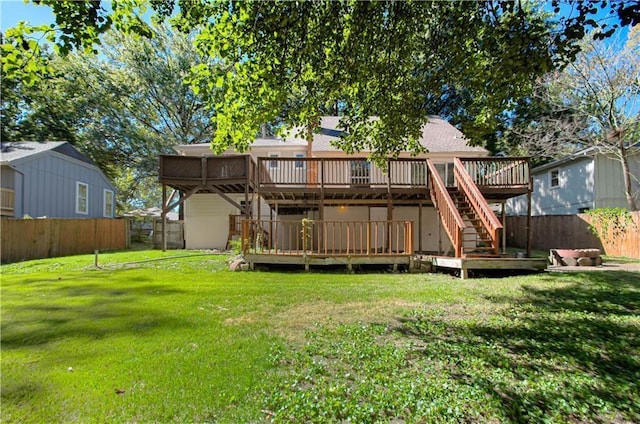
[341, 172]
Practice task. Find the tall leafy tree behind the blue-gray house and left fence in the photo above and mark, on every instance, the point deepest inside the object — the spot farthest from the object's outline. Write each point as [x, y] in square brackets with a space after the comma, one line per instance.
[123, 108]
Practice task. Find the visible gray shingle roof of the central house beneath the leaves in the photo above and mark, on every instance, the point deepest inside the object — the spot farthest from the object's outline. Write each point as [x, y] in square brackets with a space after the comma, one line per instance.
[437, 136]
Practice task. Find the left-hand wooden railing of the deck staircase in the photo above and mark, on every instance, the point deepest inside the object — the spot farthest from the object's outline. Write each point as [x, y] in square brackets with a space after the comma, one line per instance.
[453, 223]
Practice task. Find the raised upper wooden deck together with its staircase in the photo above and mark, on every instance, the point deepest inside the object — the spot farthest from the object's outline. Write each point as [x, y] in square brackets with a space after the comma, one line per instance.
[300, 185]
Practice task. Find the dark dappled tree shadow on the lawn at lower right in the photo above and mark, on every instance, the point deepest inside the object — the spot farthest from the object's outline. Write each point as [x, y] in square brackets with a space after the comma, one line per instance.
[568, 353]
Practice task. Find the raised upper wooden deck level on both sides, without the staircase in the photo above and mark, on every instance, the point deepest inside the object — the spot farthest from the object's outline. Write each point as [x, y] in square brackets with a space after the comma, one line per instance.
[294, 182]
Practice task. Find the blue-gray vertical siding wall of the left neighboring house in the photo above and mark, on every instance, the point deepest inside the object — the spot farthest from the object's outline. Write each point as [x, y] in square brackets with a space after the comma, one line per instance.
[48, 187]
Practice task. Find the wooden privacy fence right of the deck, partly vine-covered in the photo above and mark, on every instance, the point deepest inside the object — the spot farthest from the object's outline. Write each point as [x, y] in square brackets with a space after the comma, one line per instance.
[572, 232]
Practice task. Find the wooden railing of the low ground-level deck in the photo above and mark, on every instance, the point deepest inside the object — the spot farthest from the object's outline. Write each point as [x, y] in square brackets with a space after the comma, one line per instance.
[328, 238]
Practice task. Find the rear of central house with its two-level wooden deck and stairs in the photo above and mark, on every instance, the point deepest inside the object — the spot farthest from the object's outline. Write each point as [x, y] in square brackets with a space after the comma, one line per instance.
[289, 197]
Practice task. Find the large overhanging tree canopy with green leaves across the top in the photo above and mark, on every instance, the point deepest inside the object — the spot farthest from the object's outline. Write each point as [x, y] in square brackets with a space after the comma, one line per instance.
[391, 59]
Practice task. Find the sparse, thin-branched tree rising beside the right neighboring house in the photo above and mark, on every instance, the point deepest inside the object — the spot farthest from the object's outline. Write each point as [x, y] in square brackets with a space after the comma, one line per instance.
[594, 102]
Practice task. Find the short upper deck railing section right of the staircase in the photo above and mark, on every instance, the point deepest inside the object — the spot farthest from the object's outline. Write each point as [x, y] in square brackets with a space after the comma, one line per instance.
[498, 172]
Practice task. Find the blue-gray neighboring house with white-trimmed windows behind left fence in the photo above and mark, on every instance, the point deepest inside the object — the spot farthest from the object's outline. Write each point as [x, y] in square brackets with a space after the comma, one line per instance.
[52, 179]
